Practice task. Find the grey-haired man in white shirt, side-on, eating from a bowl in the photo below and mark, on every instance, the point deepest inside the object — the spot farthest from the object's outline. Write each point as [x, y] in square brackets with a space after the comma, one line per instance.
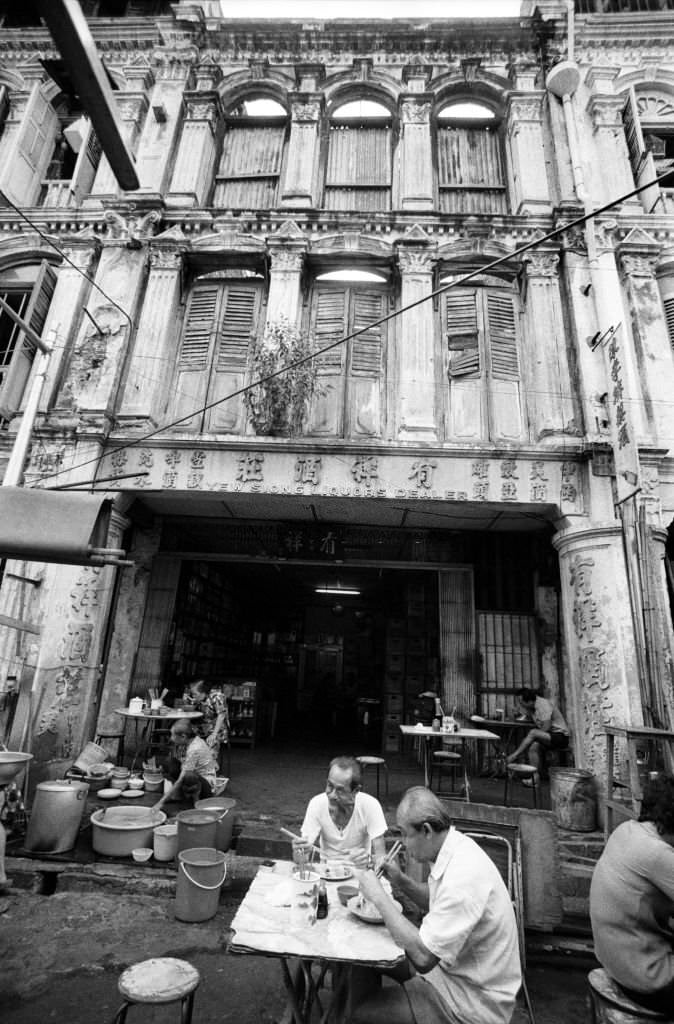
[464, 960]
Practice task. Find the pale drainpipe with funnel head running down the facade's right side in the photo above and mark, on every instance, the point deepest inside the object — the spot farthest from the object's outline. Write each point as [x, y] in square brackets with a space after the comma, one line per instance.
[563, 81]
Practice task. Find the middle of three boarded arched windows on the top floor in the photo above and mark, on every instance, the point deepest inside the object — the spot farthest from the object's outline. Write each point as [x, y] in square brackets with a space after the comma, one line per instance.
[360, 158]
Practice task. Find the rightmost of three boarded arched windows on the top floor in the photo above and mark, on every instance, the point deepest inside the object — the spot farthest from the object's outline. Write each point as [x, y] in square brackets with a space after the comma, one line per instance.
[471, 165]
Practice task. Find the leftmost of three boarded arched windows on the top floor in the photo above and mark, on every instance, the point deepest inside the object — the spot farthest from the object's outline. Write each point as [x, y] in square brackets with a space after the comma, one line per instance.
[254, 147]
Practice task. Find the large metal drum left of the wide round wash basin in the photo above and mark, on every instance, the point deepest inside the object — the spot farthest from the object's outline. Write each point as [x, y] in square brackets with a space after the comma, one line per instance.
[56, 817]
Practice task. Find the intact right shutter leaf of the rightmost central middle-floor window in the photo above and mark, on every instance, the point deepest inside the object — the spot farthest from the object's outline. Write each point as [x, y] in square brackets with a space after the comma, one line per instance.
[505, 415]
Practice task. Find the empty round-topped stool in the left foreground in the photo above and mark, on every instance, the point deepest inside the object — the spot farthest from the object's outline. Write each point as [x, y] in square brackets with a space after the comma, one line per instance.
[162, 979]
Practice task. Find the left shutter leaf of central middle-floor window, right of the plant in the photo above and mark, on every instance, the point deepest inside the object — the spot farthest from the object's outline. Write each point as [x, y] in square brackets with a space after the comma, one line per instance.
[329, 324]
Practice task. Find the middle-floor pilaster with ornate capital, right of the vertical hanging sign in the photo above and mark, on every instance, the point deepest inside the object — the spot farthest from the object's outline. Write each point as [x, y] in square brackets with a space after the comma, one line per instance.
[652, 343]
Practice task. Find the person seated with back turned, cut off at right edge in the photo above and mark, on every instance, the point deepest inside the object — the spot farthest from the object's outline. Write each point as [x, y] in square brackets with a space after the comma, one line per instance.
[633, 902]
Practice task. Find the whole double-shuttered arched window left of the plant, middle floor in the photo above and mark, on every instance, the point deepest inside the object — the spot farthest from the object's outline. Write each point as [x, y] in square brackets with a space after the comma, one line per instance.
[222, 319]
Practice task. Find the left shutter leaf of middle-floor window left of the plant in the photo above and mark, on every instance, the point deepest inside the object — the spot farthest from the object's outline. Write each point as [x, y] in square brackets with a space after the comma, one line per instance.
[197, 354]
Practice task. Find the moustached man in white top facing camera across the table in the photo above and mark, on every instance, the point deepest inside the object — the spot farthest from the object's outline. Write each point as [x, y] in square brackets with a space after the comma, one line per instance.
[349, 824]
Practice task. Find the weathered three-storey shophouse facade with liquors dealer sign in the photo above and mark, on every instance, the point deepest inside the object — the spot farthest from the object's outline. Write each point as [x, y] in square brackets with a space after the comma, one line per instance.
[487, 462]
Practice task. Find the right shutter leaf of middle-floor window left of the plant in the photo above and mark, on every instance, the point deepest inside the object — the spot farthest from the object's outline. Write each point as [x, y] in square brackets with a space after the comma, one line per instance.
[241, 307]
